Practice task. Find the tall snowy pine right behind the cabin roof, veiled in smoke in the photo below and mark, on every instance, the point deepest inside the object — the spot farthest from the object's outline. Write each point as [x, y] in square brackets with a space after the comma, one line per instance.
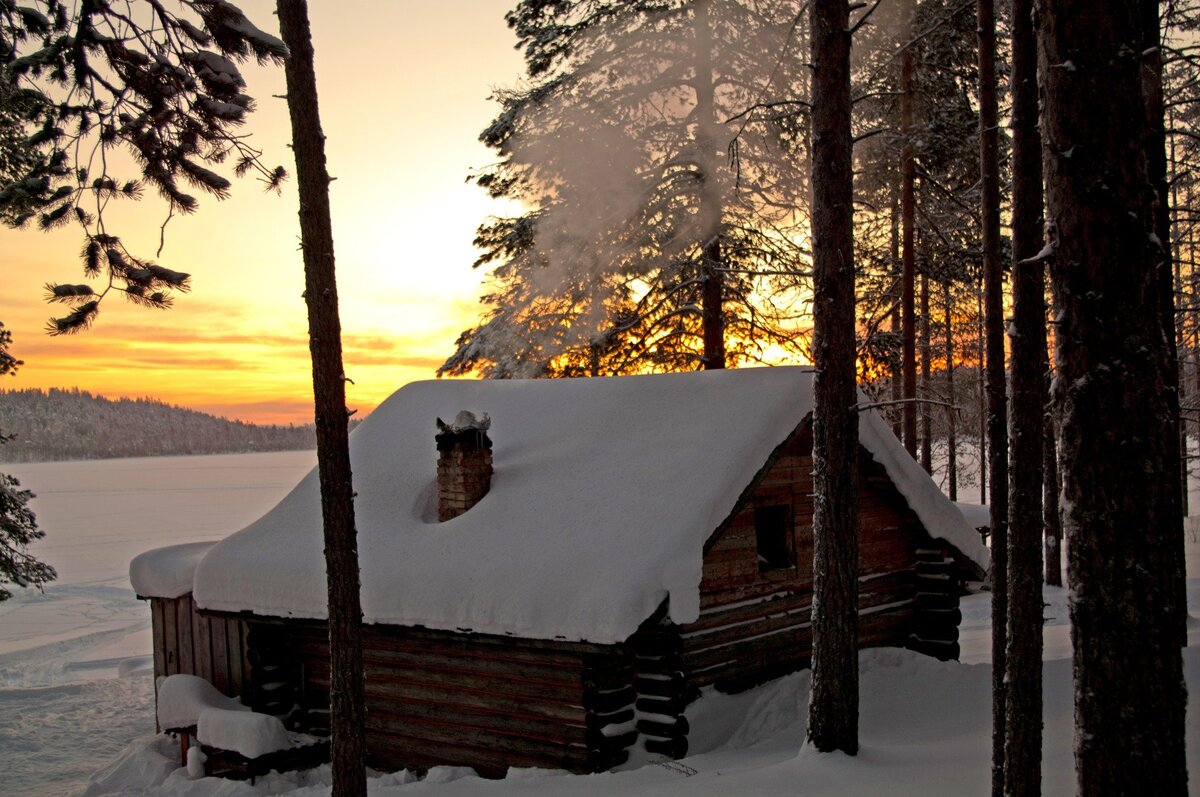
[656, 153]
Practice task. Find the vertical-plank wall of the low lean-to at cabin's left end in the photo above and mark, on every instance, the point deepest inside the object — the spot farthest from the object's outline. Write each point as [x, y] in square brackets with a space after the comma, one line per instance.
[194, 644]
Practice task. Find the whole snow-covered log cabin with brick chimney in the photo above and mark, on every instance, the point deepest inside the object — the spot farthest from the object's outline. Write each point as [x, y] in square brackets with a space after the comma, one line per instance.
[559, 597]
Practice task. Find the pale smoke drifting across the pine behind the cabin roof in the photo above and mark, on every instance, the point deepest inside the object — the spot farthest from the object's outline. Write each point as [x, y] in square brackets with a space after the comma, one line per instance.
[627, 177]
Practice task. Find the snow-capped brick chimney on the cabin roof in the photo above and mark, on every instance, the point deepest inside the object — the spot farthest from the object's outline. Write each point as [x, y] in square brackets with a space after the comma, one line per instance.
[465, 464]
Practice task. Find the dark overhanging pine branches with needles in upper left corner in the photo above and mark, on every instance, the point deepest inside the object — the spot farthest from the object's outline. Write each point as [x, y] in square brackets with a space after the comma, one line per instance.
[80, 82]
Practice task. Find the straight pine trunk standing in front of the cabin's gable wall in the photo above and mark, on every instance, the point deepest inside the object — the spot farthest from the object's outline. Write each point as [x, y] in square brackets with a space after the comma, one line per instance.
[833, 710]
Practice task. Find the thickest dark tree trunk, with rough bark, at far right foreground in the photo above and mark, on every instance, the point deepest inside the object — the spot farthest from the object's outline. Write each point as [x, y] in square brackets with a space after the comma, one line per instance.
[1119, 488]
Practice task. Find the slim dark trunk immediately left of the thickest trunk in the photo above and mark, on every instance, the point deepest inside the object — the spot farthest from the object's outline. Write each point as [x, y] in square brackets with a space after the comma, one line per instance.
[1023, 712]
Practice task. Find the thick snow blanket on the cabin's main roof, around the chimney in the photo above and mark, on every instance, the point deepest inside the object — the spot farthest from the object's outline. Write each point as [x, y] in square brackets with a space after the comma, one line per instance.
[604, 494]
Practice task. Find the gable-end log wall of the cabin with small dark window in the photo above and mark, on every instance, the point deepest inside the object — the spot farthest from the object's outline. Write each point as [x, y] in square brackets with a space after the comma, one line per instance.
[755, 625]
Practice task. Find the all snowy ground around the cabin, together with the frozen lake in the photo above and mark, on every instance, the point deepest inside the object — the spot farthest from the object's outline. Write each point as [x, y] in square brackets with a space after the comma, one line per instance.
[67, 712]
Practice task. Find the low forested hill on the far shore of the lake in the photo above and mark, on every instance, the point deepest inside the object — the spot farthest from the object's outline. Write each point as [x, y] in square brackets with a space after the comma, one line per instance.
[77, 426]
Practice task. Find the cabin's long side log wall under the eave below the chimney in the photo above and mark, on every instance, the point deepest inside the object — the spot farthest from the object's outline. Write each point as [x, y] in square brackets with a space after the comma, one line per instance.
[439, 698]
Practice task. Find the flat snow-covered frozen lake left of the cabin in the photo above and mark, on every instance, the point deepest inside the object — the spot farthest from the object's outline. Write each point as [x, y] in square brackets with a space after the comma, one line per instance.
[75, 685]
